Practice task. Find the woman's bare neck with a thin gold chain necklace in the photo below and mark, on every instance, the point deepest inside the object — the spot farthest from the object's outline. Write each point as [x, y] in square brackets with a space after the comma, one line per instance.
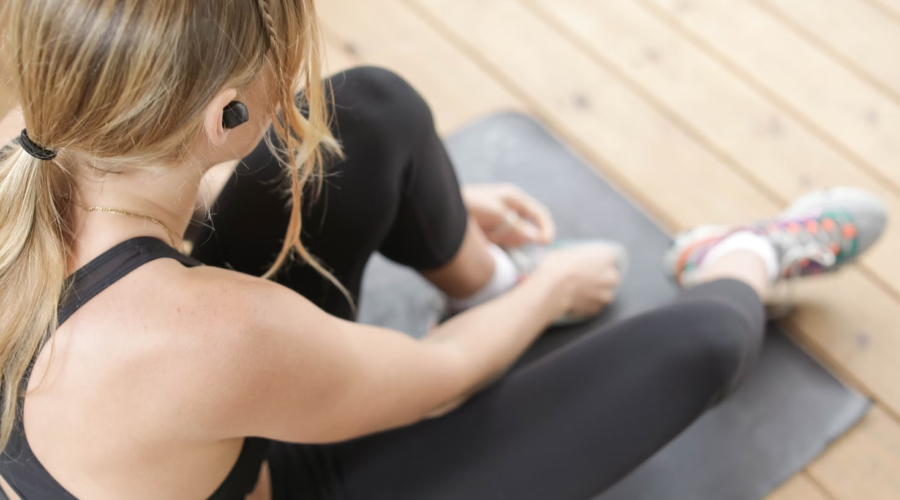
[169, 196]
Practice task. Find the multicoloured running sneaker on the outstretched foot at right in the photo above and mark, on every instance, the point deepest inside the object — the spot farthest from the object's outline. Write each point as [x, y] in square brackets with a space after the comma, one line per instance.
[819, 233]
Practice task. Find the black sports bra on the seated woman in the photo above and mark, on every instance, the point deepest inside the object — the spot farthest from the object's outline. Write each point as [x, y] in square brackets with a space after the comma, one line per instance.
[21, 468]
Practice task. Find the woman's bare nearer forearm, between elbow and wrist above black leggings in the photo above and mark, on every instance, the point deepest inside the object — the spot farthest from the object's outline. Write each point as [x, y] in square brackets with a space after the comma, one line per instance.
[491, 337]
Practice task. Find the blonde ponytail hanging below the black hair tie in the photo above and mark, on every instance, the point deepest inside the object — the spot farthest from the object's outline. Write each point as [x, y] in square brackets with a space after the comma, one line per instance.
[33, 256]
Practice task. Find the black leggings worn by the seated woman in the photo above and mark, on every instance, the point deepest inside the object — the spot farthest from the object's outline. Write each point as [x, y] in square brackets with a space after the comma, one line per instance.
[566, 426]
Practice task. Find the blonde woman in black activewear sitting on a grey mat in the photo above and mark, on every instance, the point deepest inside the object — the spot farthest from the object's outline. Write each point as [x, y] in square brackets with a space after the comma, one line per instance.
[130, 371]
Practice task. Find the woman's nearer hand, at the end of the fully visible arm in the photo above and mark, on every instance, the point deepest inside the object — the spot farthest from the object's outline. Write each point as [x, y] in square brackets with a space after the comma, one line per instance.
[585, 278]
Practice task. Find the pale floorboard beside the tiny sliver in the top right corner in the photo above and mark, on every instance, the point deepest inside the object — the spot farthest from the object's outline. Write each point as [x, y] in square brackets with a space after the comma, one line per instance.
[854, 32]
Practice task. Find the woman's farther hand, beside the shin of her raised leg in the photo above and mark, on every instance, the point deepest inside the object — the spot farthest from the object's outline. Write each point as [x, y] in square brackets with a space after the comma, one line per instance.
[509, 217]
